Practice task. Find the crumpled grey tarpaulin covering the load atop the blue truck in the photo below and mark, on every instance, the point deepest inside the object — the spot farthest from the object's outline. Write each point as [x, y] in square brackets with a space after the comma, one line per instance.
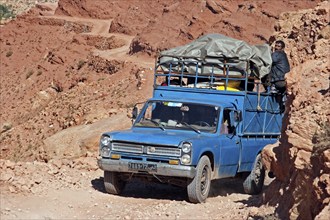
[215, 48]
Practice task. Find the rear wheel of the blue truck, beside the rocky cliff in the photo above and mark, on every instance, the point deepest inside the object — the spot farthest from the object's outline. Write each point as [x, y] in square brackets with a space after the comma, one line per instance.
[255, 180]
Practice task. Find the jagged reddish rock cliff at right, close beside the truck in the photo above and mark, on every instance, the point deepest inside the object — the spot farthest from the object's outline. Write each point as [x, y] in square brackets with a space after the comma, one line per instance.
[301, 161]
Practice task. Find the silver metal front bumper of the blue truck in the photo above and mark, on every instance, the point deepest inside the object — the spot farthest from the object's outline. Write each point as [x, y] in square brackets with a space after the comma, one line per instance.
[162, 169]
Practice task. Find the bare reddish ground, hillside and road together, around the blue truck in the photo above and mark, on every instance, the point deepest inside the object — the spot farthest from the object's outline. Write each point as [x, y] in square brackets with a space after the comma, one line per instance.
[79, 75]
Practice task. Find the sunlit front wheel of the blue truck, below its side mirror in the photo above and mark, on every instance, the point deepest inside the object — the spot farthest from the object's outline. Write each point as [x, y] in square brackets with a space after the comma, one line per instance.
[198, 189]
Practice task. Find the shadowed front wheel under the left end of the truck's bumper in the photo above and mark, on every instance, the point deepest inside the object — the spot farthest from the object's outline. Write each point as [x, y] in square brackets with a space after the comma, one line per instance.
[112, 183]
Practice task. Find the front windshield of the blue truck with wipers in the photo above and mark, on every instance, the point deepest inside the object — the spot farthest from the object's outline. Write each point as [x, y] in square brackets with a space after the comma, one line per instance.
[180, 115]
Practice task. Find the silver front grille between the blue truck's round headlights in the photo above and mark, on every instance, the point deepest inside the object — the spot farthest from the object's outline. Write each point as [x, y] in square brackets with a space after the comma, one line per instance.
[146, 149]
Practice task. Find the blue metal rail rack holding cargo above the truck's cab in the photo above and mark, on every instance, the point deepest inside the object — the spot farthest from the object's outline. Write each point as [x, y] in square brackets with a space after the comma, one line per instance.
[208, 73]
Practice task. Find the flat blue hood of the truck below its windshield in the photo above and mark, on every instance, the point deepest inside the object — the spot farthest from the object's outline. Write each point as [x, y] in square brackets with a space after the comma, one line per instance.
[154, 137]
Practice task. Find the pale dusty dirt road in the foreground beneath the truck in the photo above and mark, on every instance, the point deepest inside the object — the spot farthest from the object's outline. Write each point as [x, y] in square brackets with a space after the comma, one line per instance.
[79, 194]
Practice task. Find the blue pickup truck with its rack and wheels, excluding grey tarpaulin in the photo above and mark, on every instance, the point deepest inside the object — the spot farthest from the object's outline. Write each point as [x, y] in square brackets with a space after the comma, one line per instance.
[197, 127]
